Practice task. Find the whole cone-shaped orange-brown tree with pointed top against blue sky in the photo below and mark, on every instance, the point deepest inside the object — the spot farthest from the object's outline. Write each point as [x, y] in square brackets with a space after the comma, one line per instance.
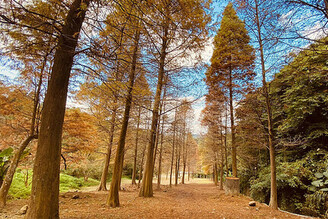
[232, 65]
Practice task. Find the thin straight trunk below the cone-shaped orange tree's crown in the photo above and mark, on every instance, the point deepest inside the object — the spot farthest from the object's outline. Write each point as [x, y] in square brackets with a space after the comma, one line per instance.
[233, 144]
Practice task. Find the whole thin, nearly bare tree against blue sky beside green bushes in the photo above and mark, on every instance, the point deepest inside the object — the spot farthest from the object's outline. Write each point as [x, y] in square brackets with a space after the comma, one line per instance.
[263, 24]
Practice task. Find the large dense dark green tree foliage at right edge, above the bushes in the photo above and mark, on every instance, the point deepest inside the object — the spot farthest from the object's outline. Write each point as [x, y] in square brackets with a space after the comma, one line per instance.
[300, 95]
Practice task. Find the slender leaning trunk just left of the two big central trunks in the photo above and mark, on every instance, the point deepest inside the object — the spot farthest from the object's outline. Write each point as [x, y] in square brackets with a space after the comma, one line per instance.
[102, 185]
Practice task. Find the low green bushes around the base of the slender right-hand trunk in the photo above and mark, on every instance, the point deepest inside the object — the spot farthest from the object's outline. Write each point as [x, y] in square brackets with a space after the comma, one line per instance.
[296, 181]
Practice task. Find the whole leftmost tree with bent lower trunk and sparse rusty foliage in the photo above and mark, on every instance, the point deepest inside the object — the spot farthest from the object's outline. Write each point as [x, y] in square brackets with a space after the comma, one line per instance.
[35, 57]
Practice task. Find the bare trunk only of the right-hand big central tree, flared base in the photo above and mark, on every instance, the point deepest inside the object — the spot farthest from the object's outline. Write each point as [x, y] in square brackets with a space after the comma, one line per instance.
[146, 189]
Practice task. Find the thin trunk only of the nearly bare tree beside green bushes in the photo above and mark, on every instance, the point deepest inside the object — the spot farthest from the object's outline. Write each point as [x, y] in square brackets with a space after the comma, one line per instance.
[273, 192]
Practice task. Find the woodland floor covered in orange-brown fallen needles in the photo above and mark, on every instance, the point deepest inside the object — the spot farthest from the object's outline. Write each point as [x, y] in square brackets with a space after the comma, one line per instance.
[197, 199]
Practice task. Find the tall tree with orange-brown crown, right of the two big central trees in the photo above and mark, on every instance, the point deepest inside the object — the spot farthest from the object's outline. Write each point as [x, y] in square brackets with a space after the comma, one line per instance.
[185, 21]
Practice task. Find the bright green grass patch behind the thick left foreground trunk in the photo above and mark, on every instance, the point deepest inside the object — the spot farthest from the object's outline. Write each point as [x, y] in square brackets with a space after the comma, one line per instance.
[19, 190]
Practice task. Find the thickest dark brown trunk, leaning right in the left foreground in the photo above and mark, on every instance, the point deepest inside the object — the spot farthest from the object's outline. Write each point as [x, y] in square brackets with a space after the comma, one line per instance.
[44, 201]
